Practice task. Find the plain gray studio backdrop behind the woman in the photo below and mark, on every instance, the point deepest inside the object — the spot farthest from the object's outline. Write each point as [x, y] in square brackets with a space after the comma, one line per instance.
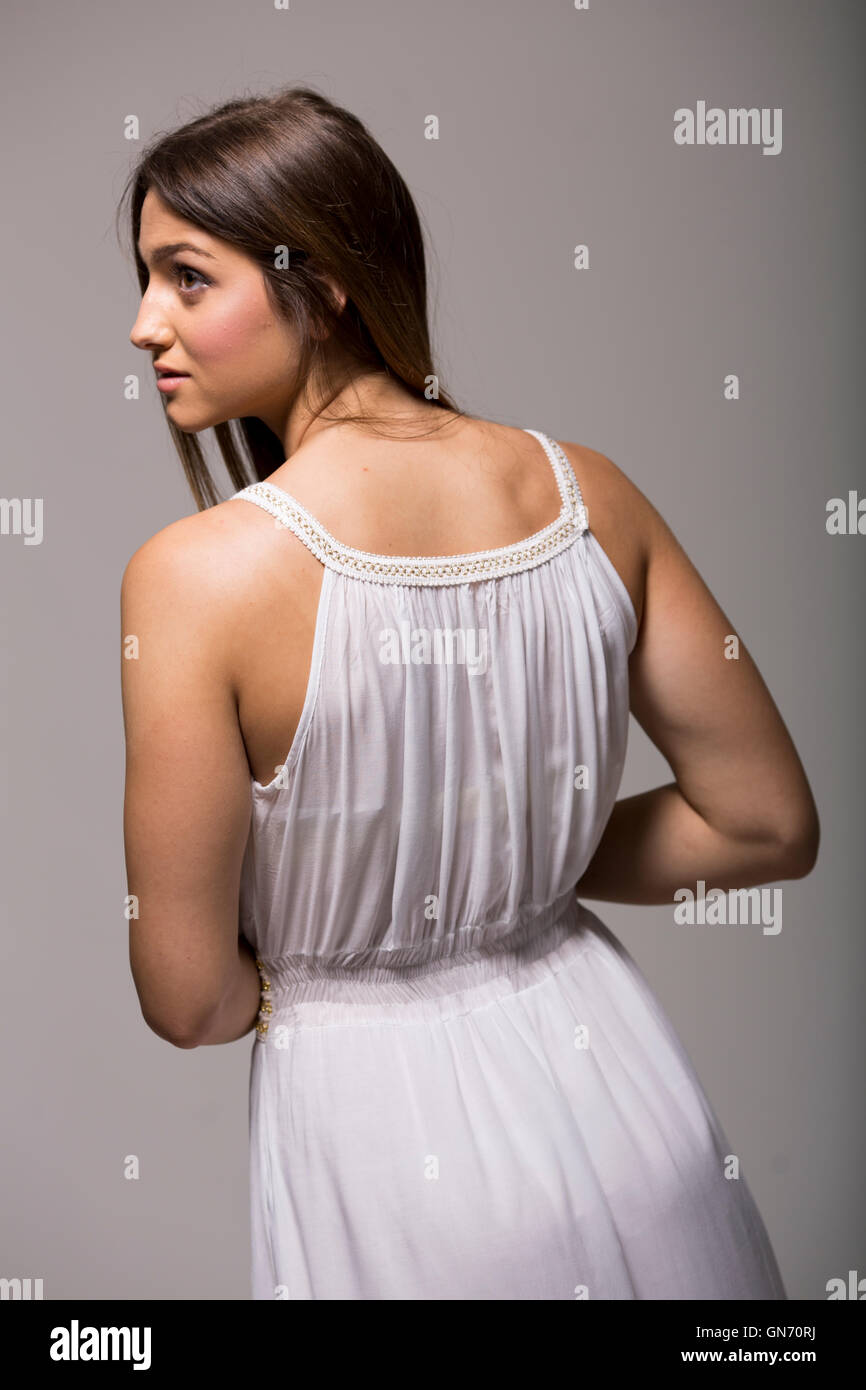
[557, 129]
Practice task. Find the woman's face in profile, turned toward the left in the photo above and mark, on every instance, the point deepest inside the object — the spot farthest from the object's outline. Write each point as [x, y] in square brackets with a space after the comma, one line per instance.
[206, 313]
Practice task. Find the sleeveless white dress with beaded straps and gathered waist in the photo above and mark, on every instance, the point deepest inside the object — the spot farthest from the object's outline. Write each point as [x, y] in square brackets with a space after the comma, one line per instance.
[462, 1086]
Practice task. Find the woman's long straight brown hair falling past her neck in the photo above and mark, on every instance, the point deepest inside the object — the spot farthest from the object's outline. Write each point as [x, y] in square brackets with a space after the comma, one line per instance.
[293, 170]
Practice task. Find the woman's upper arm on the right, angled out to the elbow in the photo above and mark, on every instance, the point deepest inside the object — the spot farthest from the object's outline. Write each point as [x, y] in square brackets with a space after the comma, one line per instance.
[698, 696]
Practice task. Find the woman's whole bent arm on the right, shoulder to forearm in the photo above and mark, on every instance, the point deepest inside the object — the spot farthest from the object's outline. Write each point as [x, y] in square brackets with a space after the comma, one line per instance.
[740, 811]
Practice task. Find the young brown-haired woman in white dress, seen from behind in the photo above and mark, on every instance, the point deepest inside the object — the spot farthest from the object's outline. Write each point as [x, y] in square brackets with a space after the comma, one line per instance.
[376, 715]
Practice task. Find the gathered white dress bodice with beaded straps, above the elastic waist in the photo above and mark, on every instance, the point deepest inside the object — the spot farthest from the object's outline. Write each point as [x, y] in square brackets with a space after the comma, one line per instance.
[459, 749]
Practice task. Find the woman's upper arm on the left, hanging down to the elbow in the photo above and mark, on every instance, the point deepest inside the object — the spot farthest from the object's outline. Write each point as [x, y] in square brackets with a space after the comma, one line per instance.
[187, 806]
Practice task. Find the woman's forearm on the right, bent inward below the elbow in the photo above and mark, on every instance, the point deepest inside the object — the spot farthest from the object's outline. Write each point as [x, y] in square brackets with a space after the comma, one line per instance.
[657, 843]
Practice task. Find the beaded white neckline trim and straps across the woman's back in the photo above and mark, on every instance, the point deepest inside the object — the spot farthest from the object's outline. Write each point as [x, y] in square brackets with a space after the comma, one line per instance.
[434, 569]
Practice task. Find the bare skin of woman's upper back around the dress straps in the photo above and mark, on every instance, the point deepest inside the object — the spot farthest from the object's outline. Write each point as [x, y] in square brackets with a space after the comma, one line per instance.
[472, 487]
